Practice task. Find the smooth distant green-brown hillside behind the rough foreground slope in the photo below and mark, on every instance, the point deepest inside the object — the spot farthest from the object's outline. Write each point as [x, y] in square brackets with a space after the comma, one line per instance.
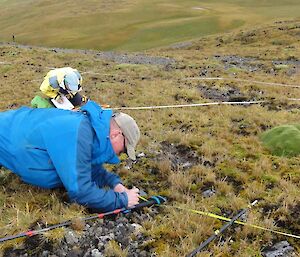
[130, 24]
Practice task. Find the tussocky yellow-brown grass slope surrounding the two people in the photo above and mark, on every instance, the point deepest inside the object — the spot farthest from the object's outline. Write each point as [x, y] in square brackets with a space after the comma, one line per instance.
[188, 150]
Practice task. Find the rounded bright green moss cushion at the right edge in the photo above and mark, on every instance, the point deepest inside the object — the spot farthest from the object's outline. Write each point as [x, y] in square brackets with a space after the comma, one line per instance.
[283, 140]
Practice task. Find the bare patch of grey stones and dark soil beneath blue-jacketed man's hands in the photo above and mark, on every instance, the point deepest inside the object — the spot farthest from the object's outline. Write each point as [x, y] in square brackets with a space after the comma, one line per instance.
[93, 240]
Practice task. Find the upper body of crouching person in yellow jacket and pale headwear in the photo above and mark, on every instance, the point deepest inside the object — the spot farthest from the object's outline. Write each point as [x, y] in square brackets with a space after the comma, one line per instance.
[61, 82]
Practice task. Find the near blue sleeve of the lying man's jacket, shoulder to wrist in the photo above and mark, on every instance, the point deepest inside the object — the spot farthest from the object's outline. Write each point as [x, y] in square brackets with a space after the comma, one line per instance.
[71, 154]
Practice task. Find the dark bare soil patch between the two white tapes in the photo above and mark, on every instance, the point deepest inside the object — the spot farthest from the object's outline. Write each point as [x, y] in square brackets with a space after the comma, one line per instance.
[229, 94]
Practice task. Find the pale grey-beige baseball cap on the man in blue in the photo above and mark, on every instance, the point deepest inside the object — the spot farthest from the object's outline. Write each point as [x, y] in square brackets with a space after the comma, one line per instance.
[130, 130]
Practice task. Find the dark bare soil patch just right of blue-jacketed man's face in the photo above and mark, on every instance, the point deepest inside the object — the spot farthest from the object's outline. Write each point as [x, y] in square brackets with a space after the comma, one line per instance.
[181, 156]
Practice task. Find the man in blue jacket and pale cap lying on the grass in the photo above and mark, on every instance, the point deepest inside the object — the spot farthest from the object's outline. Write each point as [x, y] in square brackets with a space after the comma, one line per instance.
[53, 148]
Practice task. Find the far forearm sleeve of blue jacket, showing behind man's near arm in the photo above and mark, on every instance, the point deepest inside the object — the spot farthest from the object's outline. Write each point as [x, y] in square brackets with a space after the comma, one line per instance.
[104, 178]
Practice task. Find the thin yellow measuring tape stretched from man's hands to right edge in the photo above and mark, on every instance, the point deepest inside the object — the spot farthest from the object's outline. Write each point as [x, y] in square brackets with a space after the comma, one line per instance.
[212, 215]
